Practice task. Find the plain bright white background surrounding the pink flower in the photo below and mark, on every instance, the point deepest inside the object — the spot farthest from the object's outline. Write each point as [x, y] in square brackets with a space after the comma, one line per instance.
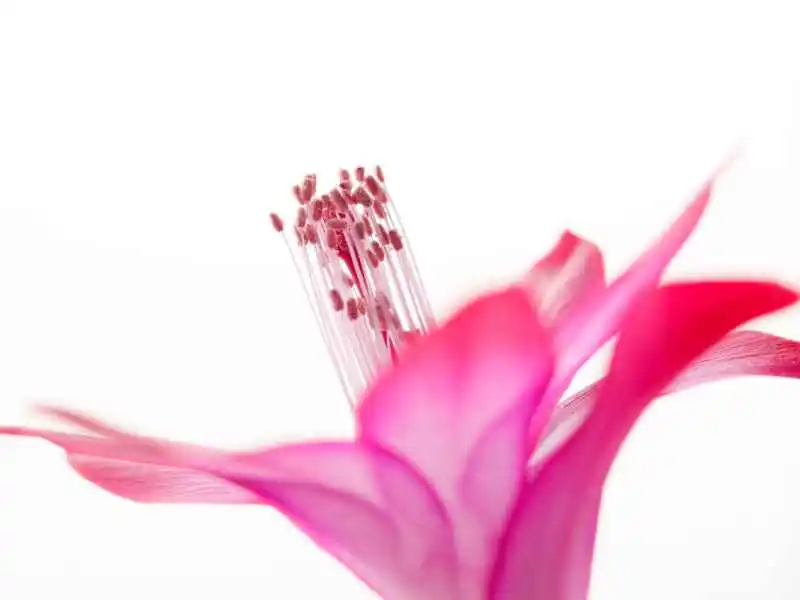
[143, 145]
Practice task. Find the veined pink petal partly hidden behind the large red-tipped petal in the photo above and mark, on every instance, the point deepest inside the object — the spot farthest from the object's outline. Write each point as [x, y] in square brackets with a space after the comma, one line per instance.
[740, 353]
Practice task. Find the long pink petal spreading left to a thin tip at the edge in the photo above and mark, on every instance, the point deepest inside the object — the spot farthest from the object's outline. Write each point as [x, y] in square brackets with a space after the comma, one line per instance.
[358, 502]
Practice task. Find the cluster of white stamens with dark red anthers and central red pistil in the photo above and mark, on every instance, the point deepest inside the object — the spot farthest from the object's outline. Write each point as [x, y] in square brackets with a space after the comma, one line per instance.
[359, 275]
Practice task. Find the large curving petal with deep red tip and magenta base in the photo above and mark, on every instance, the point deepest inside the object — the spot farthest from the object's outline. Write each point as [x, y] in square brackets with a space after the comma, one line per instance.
[550, 540]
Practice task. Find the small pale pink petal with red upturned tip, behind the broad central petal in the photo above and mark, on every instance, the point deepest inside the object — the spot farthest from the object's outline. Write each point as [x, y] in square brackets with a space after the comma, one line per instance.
[571, 272]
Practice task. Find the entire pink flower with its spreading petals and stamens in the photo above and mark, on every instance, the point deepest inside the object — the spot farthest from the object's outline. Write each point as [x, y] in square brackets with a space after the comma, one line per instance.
[466, 479]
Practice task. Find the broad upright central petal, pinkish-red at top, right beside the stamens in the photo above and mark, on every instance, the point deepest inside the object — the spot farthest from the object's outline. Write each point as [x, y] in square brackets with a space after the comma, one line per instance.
[457, 406]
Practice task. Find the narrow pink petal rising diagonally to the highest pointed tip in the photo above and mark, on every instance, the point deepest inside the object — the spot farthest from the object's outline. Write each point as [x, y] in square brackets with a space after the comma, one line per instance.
[598, 317]
